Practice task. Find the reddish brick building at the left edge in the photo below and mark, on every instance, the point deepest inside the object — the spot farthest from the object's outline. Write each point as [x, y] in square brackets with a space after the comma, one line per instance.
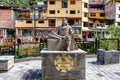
[6, 22]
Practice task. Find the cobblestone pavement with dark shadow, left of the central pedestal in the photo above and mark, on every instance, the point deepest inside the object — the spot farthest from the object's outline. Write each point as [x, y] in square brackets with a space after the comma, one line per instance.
[28, 70]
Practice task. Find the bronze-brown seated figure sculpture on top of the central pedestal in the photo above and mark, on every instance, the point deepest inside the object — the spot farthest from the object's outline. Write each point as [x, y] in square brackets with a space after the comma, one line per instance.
[62, 38]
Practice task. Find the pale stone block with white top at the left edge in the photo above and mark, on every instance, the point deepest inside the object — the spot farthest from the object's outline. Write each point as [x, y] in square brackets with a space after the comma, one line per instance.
[6, 62]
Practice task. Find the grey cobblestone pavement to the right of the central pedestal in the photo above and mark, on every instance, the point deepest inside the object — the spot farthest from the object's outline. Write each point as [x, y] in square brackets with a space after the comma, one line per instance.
[95, 71]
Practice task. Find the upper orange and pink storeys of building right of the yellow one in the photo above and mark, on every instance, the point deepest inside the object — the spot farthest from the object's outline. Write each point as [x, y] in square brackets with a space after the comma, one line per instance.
[96, 13]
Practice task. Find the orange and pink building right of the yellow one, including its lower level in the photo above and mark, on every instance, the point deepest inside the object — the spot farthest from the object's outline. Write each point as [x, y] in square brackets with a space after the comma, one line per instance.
[96, 17]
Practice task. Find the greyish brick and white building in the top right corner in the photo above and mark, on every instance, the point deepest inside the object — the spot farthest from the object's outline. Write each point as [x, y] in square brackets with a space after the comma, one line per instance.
[112, 11]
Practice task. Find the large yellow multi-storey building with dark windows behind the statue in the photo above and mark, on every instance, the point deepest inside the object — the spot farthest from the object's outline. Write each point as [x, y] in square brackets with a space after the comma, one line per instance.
[75, 11]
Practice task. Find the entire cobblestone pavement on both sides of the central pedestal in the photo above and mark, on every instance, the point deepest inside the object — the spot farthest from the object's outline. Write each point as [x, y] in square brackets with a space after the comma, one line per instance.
[31, 70]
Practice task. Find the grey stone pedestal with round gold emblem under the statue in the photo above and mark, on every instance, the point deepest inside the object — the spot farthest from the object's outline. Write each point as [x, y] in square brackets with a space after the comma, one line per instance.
[63, 65]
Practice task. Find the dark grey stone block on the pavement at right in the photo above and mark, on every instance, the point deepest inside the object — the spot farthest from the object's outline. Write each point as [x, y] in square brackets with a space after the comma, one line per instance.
[108, 57]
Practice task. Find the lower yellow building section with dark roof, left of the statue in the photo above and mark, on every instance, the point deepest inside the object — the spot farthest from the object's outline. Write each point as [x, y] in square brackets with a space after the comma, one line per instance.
[30, 22]
